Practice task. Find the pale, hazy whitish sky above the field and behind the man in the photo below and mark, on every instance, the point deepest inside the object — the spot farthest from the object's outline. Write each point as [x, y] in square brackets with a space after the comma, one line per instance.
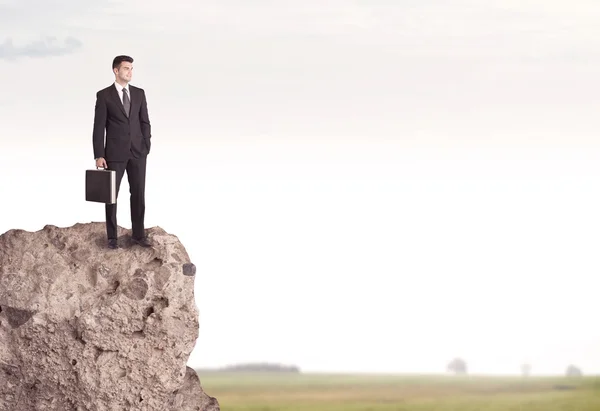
[363, 186]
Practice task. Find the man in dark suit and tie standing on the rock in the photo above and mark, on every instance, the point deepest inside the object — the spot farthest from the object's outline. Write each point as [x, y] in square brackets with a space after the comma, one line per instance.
[121, 110]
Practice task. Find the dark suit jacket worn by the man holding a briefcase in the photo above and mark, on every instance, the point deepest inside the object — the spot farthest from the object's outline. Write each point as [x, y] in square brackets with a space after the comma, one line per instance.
[122, 133]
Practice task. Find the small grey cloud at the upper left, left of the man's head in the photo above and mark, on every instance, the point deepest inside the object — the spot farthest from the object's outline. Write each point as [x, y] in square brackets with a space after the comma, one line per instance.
[45, 47]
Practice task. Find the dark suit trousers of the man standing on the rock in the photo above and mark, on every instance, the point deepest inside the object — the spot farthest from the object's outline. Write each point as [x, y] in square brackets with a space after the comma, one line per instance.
[136, 175]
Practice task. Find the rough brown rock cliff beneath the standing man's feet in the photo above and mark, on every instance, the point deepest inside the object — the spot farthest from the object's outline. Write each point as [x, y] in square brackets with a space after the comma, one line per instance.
[86, 328]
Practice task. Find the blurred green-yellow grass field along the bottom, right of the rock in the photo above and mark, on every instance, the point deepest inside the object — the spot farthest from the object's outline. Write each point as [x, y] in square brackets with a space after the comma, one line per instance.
[304, 392]
